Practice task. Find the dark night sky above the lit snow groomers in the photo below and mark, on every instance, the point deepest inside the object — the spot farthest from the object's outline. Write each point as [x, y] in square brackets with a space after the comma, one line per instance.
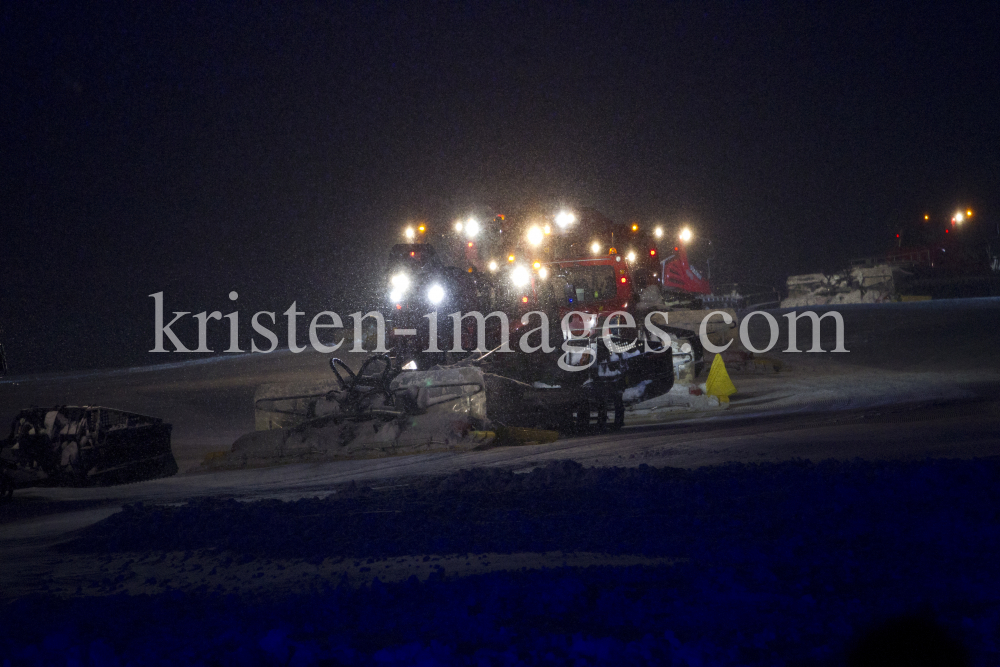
[275, 149]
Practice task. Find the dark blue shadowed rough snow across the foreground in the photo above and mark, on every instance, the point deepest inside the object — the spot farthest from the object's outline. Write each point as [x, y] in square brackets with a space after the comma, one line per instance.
[770, 564]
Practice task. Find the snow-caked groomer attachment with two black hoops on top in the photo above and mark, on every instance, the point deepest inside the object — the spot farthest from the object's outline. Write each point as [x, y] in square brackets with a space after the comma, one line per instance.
[377, 411]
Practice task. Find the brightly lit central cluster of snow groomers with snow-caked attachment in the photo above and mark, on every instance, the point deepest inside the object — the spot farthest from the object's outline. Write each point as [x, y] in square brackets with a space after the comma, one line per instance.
[468, 353]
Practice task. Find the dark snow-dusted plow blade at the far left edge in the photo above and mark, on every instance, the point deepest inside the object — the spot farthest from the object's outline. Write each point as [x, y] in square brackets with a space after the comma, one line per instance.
[80, 446]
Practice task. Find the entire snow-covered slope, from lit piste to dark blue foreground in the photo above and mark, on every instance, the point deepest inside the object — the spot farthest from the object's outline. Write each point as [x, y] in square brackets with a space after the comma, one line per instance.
[525, 557]
